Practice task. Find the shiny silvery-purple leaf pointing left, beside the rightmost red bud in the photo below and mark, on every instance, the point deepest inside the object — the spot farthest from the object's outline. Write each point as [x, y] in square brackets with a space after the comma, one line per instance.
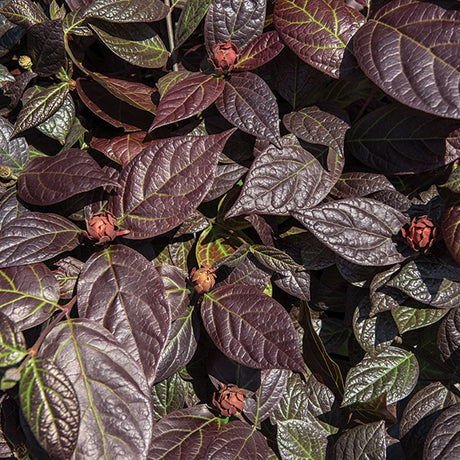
[360, 230]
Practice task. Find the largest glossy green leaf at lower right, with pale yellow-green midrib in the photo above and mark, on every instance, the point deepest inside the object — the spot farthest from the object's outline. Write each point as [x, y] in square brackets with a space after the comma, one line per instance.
[393, 371]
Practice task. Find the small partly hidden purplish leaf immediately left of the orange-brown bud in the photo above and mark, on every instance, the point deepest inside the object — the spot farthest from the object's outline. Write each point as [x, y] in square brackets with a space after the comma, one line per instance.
[177, 294]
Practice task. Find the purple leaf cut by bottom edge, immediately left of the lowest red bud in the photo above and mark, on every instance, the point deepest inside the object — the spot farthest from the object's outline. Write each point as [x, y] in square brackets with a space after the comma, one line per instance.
[186, 432]
